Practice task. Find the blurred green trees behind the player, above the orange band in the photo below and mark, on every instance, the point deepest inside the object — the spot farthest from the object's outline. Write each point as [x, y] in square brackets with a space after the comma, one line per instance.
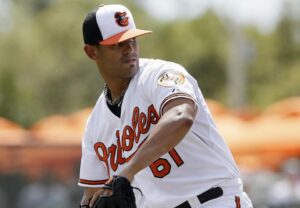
[44, 71]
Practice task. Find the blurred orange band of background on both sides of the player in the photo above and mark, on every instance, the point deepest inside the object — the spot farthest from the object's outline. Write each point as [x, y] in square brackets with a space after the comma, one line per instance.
[258, 140]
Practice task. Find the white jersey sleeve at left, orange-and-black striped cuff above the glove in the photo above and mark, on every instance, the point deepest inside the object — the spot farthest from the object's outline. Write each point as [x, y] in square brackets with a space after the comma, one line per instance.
[93, 173]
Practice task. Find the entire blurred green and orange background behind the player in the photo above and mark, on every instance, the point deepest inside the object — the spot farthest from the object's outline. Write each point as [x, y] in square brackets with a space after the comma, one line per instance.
[245, 56]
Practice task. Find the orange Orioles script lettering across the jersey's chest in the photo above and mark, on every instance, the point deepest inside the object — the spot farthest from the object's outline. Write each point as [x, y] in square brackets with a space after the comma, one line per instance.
[140, 124]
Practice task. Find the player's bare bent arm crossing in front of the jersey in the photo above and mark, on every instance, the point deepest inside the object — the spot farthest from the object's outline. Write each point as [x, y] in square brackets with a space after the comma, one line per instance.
[177, 118]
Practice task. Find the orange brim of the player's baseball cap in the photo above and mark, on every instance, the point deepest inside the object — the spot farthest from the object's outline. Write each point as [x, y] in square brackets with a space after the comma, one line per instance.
[120, 37]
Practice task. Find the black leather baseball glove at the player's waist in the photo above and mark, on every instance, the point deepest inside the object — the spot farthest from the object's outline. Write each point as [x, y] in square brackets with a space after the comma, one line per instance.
[122, 196]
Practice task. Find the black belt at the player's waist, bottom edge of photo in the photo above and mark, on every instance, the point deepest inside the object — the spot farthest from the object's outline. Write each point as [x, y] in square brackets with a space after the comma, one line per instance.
[210, 194]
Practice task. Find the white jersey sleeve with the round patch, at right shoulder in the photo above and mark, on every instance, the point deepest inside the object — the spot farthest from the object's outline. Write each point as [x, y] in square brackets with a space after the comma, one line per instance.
[167, 82]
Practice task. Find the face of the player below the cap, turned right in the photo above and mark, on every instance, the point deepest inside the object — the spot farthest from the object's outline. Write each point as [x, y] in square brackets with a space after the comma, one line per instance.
[120, 61]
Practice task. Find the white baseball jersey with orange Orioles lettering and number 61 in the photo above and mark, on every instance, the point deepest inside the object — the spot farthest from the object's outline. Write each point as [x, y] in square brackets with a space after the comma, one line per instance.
[200, 161]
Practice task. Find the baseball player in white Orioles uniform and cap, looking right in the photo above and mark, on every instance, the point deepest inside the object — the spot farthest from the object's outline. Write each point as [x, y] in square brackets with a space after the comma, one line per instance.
[151, 125]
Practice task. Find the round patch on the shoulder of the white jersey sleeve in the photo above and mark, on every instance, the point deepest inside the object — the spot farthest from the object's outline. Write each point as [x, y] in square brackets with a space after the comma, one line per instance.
[171, 79]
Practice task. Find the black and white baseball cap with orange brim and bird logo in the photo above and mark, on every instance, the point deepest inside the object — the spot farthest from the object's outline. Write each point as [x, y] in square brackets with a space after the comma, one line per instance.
[110, 24]
